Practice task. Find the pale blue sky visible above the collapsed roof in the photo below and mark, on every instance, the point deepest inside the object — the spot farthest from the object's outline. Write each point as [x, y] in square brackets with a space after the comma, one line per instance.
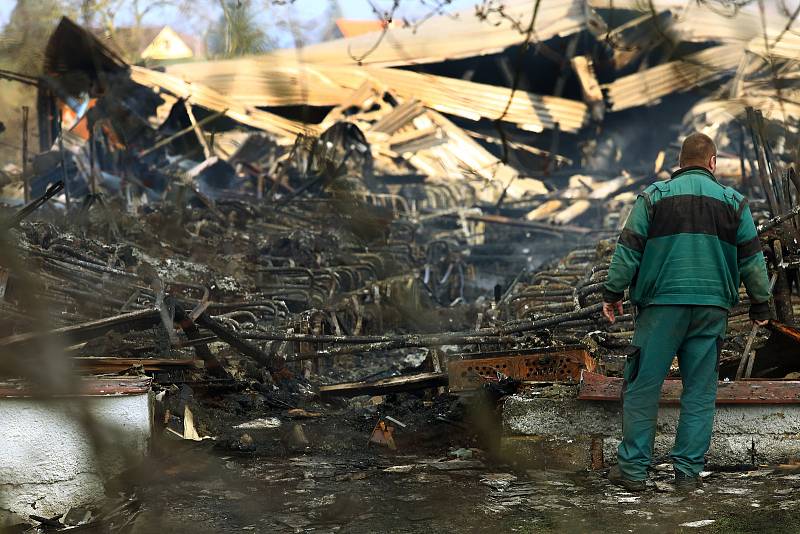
[300, 11]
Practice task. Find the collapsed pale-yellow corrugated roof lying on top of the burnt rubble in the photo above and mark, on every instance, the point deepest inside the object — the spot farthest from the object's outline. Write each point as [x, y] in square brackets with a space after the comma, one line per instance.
[425, 120]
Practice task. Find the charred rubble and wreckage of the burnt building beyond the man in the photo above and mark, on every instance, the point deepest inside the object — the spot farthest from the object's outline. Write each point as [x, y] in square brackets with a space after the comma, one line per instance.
[380, 276]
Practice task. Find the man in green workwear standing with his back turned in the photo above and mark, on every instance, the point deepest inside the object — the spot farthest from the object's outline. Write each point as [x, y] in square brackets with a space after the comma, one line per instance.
[686, 246]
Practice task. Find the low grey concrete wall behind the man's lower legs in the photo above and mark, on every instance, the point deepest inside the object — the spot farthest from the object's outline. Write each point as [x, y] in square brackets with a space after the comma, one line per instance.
[742, 432]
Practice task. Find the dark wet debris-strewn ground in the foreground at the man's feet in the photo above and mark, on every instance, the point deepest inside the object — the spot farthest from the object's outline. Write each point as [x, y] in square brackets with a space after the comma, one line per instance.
[200, 492]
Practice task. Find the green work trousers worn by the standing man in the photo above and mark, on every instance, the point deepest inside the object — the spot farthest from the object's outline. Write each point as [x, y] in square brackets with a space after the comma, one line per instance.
[695, 335]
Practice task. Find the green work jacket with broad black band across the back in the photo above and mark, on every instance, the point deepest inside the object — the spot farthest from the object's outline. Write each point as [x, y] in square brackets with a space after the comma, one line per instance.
[689, 240]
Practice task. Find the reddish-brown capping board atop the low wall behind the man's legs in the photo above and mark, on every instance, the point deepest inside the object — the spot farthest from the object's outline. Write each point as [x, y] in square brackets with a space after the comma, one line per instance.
[598, 387]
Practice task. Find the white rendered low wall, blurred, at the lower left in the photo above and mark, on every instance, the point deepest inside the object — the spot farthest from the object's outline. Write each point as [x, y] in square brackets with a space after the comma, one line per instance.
[47, 461]
